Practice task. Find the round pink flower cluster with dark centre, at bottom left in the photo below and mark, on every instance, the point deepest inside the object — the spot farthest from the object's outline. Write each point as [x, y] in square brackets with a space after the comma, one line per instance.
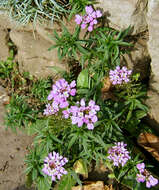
[53, 166]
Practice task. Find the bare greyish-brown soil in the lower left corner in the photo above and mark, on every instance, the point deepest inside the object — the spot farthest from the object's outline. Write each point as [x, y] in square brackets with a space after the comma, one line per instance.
[13, 148]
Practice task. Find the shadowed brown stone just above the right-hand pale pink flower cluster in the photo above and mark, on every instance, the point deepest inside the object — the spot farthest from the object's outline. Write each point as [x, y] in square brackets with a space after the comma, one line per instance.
[139, 59]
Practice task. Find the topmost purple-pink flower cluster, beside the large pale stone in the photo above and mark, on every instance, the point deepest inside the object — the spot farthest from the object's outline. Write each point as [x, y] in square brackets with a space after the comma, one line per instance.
[89, 19]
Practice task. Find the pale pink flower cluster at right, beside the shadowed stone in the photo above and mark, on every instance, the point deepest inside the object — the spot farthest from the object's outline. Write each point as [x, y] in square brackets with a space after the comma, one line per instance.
[119, 76]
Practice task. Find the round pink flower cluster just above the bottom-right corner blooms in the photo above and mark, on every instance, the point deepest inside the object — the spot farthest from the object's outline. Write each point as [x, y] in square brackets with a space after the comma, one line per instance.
[118, 154]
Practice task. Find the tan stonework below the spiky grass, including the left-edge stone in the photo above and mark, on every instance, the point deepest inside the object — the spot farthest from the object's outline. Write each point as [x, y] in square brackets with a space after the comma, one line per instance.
[32, 44]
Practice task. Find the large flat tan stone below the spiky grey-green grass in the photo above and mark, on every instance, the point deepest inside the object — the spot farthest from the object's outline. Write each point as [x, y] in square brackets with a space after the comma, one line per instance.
[33, 55]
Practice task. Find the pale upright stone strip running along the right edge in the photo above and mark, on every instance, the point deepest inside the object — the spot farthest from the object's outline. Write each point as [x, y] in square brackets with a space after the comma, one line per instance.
[153, 48]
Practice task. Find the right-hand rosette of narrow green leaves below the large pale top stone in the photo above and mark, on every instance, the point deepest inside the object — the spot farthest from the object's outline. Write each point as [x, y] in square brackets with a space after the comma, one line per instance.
[107, 46]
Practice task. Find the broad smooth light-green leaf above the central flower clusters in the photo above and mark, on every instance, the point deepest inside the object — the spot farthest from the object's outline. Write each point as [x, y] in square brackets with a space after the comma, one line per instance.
[82, 80]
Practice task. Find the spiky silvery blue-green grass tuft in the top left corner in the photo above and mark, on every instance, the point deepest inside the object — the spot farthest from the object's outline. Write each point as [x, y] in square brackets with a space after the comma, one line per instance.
[25, 11]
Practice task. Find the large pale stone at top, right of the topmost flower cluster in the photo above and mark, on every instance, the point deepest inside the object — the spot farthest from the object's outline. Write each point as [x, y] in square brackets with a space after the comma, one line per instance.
[123, 13]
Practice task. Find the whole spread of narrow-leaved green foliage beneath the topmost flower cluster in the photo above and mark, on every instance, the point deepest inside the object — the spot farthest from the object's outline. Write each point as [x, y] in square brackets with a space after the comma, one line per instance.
[102, 48]
